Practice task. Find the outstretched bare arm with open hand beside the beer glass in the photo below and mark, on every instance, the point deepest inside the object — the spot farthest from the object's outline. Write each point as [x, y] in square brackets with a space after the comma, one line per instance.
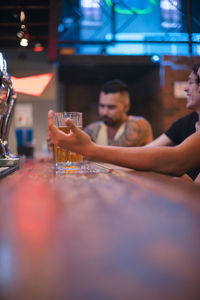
[168, 160]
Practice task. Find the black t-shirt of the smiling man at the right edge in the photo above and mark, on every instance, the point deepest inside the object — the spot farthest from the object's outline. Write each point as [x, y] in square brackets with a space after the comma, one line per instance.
[180, 130]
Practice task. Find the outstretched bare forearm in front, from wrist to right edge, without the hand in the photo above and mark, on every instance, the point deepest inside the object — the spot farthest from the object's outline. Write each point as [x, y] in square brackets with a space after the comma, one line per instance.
[168, 160]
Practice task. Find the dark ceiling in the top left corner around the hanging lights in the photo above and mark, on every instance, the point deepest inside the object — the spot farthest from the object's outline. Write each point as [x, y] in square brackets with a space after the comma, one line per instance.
[40, 24]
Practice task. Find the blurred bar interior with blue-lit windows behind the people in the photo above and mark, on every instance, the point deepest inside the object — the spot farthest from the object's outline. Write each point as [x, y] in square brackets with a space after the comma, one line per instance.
[59, 54]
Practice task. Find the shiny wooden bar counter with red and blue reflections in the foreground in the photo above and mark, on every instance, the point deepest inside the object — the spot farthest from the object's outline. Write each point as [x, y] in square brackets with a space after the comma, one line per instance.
[108, 233]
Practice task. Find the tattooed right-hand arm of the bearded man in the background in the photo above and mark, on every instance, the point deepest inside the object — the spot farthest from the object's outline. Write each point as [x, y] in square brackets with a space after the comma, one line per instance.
[138, 132]
